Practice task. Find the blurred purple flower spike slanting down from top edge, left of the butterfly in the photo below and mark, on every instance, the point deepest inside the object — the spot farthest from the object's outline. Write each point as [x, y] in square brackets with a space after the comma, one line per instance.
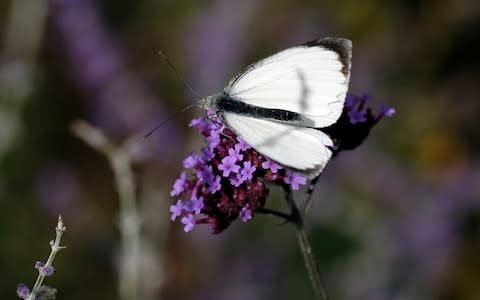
[122, 104]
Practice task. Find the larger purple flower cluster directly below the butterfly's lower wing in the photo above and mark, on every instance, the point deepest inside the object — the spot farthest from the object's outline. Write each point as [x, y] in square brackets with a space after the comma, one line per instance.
[226, 180]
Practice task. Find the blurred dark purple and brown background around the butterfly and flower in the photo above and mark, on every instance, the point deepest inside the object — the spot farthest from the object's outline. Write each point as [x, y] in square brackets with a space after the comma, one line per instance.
[398, 218]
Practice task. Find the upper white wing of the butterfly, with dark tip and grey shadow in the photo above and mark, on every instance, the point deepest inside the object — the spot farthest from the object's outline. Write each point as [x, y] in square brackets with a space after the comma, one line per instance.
[310, 79]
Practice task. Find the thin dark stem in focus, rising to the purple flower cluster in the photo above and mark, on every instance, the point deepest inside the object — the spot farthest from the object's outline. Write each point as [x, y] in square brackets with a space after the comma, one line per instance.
[310, 262]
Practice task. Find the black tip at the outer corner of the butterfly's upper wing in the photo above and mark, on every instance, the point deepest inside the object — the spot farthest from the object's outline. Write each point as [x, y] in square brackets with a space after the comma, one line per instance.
[342, 46]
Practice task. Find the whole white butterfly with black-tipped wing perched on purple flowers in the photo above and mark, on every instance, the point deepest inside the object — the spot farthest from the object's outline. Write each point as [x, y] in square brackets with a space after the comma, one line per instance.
[278, 104]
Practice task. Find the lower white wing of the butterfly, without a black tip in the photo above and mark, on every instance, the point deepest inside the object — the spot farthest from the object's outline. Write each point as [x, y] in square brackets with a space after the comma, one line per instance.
[299, 148]
